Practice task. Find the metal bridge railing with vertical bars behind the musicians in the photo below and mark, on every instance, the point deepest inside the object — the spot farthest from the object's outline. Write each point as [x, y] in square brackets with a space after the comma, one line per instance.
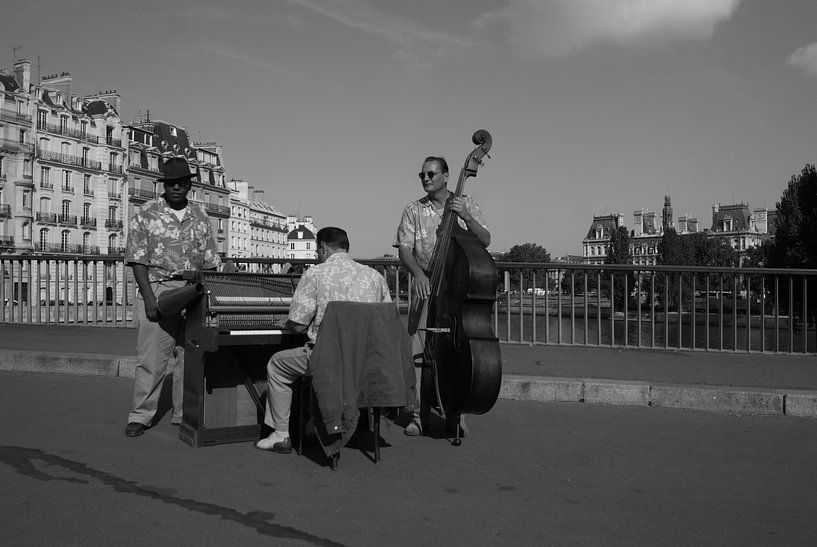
[666, 307]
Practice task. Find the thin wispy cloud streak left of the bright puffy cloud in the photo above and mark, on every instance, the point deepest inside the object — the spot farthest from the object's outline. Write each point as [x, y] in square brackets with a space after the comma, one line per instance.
[412, 40]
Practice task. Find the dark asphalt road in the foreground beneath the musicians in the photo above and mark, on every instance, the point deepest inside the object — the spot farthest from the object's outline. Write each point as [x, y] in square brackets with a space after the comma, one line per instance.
[530, 474]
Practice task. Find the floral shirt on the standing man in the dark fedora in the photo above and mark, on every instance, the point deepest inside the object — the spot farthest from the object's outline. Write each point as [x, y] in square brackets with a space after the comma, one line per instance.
[167, 246]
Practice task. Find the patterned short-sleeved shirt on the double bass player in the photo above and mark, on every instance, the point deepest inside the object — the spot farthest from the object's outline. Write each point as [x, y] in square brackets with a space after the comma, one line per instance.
[418, 227]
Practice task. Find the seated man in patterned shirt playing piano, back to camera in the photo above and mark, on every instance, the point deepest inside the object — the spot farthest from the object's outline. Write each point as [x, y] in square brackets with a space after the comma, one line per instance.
[335, 277]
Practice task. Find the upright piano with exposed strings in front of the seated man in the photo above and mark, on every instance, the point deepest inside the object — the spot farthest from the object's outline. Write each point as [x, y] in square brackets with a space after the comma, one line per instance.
[230, 333]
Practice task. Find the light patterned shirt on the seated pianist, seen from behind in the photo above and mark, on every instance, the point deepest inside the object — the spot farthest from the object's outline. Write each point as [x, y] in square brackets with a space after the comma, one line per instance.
[339, 278]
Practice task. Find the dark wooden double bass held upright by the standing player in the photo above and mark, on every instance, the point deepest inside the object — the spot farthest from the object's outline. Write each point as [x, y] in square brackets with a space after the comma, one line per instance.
[463, 361]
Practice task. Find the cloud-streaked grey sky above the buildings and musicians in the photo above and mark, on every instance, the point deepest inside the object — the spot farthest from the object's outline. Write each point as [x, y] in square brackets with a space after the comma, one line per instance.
[594, 106]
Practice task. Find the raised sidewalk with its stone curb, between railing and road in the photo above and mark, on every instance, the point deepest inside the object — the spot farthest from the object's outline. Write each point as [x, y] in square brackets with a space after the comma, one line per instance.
[737, 383]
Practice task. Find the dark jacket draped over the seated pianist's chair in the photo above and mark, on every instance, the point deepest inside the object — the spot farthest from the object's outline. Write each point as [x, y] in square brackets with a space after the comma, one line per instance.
[362, 359]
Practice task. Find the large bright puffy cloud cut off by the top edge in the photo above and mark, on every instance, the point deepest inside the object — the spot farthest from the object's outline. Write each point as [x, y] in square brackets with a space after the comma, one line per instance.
[560, 27]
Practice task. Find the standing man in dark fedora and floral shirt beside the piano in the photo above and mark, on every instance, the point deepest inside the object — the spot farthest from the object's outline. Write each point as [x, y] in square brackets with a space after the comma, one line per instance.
[166, 236]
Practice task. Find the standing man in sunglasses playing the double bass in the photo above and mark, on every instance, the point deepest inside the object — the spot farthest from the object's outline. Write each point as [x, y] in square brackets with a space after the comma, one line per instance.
[416, 240]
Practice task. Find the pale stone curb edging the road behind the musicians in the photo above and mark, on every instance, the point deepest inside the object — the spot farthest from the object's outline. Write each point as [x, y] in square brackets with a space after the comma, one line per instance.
[728, 399]
